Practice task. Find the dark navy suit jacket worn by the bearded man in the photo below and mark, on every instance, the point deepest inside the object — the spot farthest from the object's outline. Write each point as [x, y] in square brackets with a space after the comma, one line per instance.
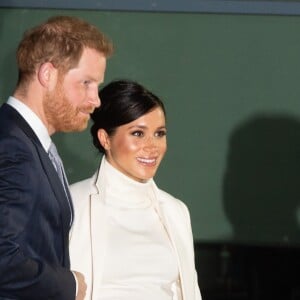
[34, 217]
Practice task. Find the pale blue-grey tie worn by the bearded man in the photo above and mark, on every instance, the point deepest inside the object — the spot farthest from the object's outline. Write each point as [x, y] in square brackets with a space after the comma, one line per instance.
[58, 165]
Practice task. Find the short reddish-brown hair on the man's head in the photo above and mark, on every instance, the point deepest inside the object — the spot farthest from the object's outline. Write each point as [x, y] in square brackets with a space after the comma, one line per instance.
[61, 41]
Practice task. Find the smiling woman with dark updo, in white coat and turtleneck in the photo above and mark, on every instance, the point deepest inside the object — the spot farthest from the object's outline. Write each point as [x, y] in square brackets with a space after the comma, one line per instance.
[130, 239]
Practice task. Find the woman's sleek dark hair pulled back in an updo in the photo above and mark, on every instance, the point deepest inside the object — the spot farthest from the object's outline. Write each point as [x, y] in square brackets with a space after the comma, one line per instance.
[122, 101]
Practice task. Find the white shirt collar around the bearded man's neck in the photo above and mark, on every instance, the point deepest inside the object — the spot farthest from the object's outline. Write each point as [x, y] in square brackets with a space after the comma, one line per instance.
[33, 120]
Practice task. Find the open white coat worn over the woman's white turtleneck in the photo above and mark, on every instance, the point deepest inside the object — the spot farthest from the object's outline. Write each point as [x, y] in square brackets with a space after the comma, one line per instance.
[88, 232]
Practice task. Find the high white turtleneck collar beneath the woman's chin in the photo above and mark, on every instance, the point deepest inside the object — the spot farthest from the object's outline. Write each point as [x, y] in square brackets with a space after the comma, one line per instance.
[122, 191]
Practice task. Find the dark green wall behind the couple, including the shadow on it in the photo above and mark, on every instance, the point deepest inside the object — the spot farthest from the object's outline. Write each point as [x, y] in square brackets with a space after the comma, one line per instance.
[231, 87]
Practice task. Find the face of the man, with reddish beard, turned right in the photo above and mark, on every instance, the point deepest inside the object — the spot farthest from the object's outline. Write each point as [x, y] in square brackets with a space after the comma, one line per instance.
[69, 105]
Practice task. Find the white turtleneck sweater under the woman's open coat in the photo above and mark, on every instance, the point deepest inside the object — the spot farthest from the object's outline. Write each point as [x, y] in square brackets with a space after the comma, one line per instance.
[139, 261]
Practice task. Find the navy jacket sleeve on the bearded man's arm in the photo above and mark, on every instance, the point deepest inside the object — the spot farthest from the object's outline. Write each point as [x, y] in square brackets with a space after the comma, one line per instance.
[24, 273]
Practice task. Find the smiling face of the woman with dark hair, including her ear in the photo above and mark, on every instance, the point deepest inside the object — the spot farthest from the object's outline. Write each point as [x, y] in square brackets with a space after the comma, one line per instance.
[137, 148]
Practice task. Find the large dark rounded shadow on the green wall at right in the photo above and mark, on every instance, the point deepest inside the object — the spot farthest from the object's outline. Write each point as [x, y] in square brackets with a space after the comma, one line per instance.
[261, 187]
